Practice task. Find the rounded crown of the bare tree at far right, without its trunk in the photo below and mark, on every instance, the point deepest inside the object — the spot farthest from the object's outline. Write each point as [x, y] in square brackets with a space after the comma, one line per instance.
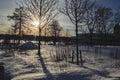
[104, 16]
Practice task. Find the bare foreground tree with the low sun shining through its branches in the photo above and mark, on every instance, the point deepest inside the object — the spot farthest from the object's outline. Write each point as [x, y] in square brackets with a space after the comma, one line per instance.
[43, 11]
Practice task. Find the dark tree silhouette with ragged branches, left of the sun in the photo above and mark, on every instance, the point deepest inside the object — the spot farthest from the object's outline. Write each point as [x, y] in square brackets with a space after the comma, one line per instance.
[19, 18]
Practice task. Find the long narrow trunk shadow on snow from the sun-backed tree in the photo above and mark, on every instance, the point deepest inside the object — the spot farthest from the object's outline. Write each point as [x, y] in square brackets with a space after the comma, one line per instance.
[49, 76]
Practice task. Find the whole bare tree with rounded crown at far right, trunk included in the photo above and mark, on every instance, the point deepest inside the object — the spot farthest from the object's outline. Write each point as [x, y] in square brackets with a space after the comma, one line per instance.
[104, 17]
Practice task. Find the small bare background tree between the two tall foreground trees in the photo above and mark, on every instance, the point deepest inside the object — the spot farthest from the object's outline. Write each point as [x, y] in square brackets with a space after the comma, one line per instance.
[55, 30]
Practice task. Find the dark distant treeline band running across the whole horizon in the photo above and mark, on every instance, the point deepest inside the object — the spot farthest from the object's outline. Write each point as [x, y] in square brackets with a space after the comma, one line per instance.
[84, 39]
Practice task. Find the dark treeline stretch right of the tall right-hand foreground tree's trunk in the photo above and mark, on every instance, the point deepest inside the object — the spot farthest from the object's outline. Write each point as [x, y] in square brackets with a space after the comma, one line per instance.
[100, 39]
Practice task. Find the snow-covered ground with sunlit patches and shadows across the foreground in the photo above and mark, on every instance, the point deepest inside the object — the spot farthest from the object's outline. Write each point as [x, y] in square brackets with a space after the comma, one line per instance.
[27, 65]
